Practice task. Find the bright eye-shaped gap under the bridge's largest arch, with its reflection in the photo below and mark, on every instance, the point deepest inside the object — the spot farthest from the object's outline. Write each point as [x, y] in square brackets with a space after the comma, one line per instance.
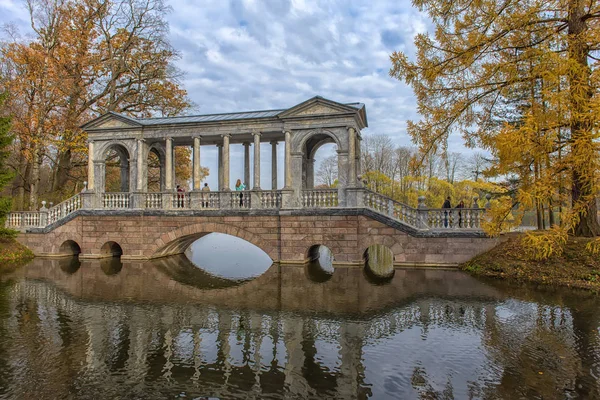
[226, 256]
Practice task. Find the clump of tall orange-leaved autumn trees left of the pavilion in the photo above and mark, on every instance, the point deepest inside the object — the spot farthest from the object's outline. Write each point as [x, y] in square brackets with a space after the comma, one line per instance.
[87, 57]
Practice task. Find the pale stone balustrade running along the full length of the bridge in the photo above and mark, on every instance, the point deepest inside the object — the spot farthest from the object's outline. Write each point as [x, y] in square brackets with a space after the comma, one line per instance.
[420, 218]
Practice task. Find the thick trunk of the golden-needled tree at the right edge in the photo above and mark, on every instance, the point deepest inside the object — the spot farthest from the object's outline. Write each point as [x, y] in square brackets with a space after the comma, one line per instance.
[583, 186]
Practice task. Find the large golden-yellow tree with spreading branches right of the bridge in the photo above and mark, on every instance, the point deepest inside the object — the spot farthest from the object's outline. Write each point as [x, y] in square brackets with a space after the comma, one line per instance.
[486, 52]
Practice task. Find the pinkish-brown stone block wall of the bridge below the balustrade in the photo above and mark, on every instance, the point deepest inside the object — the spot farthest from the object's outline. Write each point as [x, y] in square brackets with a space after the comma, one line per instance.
[285, 237]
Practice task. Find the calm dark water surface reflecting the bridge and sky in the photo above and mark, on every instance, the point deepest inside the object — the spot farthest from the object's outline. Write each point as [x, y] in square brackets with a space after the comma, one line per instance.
[169, 329]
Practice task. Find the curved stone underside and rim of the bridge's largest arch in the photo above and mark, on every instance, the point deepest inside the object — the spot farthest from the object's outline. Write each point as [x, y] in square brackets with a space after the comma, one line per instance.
[178, 240]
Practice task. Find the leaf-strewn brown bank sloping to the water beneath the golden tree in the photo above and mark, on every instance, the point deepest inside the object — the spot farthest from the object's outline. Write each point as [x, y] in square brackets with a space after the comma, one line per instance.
[576, 267]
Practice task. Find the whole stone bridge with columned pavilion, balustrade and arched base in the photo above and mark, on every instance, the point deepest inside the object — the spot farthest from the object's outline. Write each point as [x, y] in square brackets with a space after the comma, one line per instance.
[285, 222]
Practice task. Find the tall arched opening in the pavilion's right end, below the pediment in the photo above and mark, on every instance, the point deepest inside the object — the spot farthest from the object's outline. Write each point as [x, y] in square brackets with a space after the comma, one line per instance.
[320, 162]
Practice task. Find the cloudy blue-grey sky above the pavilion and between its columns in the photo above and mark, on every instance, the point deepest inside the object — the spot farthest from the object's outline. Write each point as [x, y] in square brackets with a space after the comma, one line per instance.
[243, 55]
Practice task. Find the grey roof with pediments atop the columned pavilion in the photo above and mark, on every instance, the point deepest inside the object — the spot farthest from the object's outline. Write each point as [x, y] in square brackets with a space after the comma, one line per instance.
[244, 115]
